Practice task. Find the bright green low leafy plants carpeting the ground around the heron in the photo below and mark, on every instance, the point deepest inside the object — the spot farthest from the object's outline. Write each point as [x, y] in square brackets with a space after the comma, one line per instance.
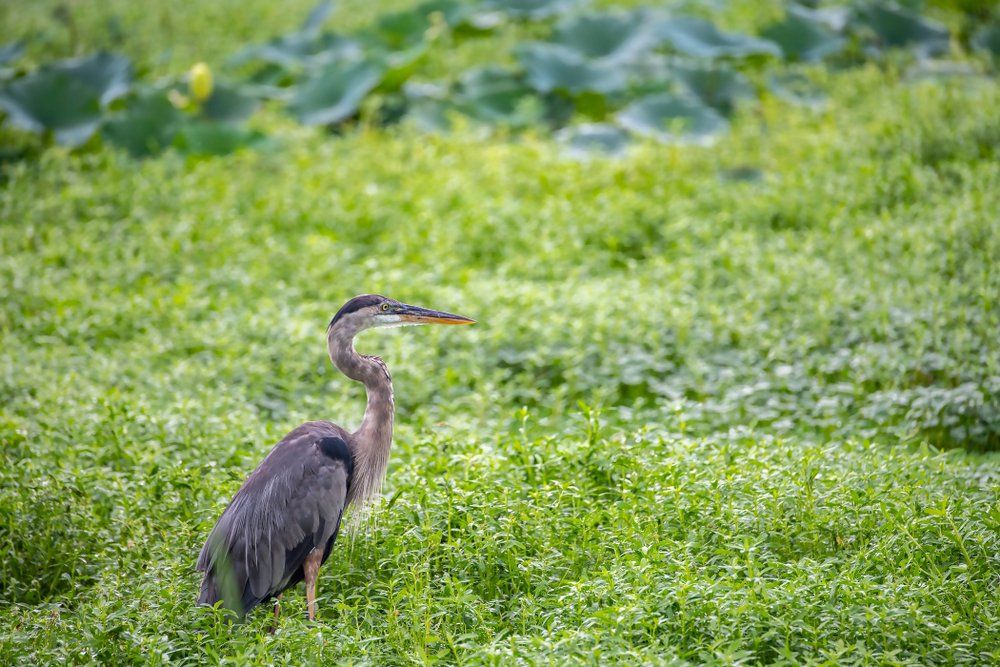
[726, 403]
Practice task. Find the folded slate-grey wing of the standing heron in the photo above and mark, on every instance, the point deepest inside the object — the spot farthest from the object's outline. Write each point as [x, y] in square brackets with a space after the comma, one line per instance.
[291, 504]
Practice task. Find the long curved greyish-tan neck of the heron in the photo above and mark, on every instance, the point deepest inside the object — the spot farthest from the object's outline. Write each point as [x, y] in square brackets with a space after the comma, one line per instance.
[370, 444]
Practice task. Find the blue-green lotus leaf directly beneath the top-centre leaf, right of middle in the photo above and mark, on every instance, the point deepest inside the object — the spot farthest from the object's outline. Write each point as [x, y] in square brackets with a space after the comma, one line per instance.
[555, 67]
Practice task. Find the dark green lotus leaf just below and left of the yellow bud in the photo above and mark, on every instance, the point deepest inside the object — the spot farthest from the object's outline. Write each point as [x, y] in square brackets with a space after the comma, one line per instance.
[146, 127]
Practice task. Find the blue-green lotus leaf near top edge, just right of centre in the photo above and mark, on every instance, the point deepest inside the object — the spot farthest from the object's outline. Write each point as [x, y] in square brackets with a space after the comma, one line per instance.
[615, 37]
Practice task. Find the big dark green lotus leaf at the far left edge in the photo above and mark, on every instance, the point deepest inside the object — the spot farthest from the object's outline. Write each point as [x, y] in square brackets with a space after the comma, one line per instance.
[51, 99]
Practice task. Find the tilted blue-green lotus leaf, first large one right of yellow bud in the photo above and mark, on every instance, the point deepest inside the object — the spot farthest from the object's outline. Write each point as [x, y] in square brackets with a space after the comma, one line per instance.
[335, 92]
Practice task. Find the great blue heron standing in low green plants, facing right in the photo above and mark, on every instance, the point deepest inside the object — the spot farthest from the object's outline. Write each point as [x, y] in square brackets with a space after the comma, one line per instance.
[281, 525]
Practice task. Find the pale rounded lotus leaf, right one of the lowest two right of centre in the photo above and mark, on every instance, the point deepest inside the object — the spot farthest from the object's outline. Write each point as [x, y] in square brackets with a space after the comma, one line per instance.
[671, 119]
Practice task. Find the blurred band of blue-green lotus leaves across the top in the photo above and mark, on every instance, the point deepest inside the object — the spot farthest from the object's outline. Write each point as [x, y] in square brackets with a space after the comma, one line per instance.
[602, 75]
